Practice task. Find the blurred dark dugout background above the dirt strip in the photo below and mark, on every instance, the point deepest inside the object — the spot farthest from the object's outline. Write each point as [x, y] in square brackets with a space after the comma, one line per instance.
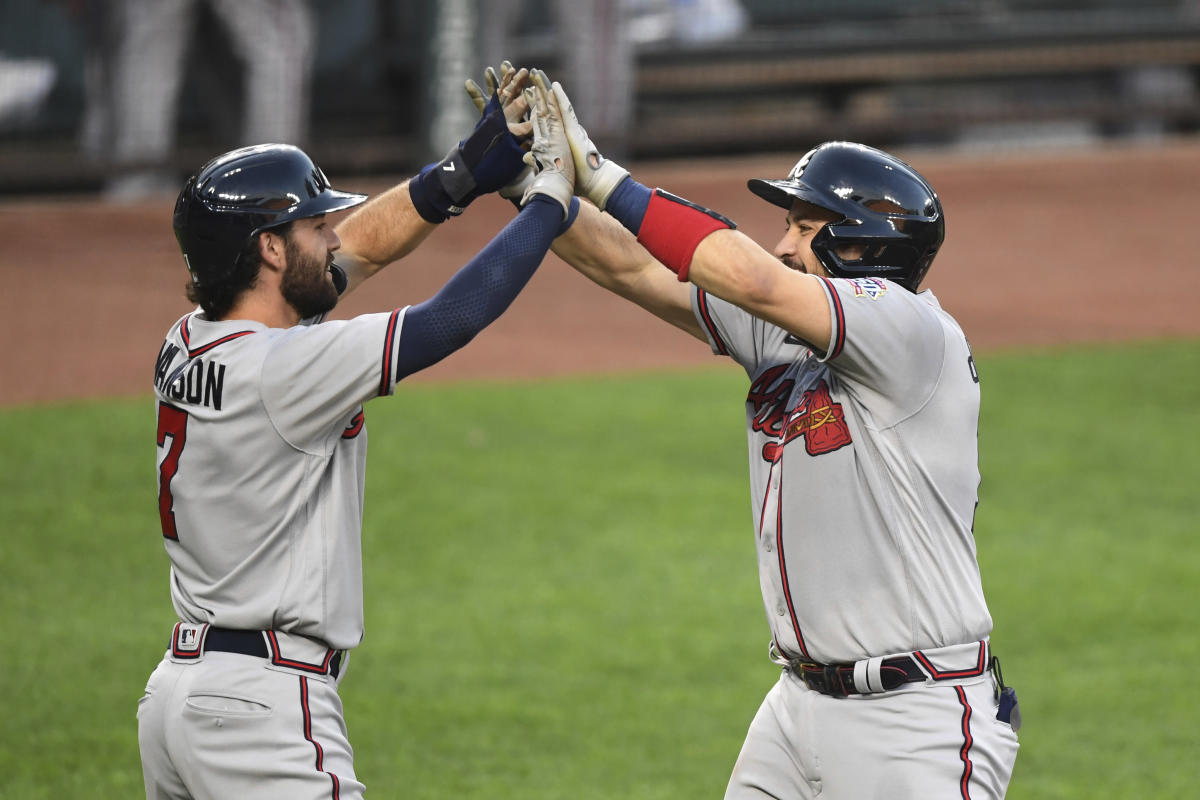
[127, 98]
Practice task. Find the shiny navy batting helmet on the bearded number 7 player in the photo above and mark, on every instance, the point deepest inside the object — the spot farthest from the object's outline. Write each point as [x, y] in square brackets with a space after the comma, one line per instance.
[241, 195]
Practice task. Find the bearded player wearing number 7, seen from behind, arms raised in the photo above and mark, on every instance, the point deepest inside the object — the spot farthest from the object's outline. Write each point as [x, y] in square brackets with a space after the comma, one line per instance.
[262, 437]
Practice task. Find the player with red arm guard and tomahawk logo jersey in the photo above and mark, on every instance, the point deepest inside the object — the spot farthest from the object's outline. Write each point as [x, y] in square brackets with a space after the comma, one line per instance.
[862, 416]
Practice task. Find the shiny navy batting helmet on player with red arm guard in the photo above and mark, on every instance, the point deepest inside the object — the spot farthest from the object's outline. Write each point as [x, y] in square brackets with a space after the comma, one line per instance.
[889, 210]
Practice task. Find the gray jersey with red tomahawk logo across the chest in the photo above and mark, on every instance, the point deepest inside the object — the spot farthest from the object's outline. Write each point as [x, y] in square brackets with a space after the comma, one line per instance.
[863, 473]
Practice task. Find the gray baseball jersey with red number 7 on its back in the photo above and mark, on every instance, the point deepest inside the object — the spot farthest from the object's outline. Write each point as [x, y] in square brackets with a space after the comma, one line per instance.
[262, 458]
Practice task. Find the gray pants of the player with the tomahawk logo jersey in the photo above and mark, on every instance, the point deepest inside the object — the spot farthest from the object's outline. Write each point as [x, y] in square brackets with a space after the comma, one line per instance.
[917, 743]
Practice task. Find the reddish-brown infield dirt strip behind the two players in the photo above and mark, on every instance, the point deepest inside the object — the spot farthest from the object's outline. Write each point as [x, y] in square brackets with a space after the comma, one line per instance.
[1042, 249]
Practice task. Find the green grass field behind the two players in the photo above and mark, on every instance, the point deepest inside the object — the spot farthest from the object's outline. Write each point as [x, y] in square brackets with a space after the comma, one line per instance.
[562, 599]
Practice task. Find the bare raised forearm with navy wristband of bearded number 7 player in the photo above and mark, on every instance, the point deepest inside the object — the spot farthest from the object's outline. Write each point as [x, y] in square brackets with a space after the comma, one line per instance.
[394, 224]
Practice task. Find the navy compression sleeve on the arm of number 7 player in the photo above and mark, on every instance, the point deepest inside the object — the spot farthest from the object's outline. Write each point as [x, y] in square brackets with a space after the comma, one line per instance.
[482, 291]
